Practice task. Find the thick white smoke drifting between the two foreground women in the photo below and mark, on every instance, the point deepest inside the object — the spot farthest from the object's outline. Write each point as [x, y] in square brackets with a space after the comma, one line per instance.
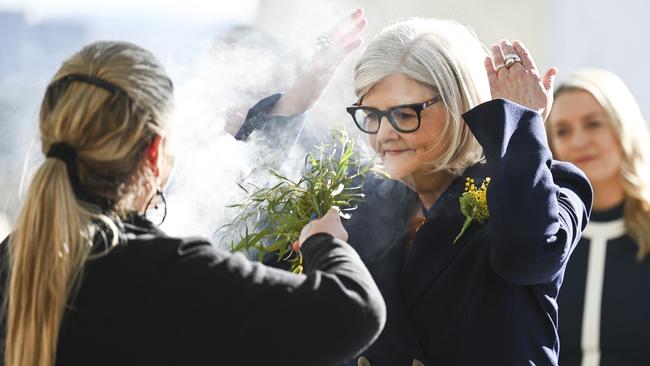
[242, 67]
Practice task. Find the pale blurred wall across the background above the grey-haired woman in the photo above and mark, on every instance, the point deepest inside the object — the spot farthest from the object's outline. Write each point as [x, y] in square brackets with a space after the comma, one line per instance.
[566, 33]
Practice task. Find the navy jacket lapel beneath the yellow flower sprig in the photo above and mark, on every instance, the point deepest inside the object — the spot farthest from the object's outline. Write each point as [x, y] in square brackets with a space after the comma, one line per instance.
[432, 249]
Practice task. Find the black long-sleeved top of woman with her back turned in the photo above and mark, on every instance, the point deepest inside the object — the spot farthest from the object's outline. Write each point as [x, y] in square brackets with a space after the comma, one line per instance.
[159, 300]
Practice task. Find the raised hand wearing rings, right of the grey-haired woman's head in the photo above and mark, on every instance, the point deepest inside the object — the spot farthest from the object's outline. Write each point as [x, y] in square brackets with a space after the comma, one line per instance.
[519, 81]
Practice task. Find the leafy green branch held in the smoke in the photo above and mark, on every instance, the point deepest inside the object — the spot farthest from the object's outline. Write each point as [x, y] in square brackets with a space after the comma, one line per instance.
[270, 219]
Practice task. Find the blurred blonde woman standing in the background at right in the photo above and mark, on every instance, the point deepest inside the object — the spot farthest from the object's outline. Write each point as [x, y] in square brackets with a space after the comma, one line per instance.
[597, 124]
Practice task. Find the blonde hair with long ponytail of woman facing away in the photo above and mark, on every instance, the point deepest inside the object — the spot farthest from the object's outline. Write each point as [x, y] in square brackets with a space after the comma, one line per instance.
[55, 230]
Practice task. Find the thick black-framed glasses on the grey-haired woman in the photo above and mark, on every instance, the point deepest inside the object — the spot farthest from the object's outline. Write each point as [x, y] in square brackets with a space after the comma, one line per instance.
[404, 118]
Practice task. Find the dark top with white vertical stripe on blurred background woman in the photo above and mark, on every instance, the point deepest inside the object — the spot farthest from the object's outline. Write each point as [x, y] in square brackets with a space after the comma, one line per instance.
[610, 328]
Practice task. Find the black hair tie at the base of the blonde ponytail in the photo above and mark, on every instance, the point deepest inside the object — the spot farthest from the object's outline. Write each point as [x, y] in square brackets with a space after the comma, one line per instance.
[68, 154]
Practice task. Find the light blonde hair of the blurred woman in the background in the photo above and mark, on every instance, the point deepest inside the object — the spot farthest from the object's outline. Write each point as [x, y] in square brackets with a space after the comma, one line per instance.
[630, 128]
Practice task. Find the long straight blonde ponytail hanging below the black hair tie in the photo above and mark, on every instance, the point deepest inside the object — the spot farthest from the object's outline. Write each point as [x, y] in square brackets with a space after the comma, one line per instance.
[46, 254]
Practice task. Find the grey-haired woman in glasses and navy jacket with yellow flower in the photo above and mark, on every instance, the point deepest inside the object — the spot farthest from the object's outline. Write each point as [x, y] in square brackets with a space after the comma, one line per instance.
[477, 282]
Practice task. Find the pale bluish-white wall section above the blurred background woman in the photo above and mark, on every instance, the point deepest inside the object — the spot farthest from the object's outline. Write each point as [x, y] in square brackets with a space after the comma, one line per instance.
[606, 34]
